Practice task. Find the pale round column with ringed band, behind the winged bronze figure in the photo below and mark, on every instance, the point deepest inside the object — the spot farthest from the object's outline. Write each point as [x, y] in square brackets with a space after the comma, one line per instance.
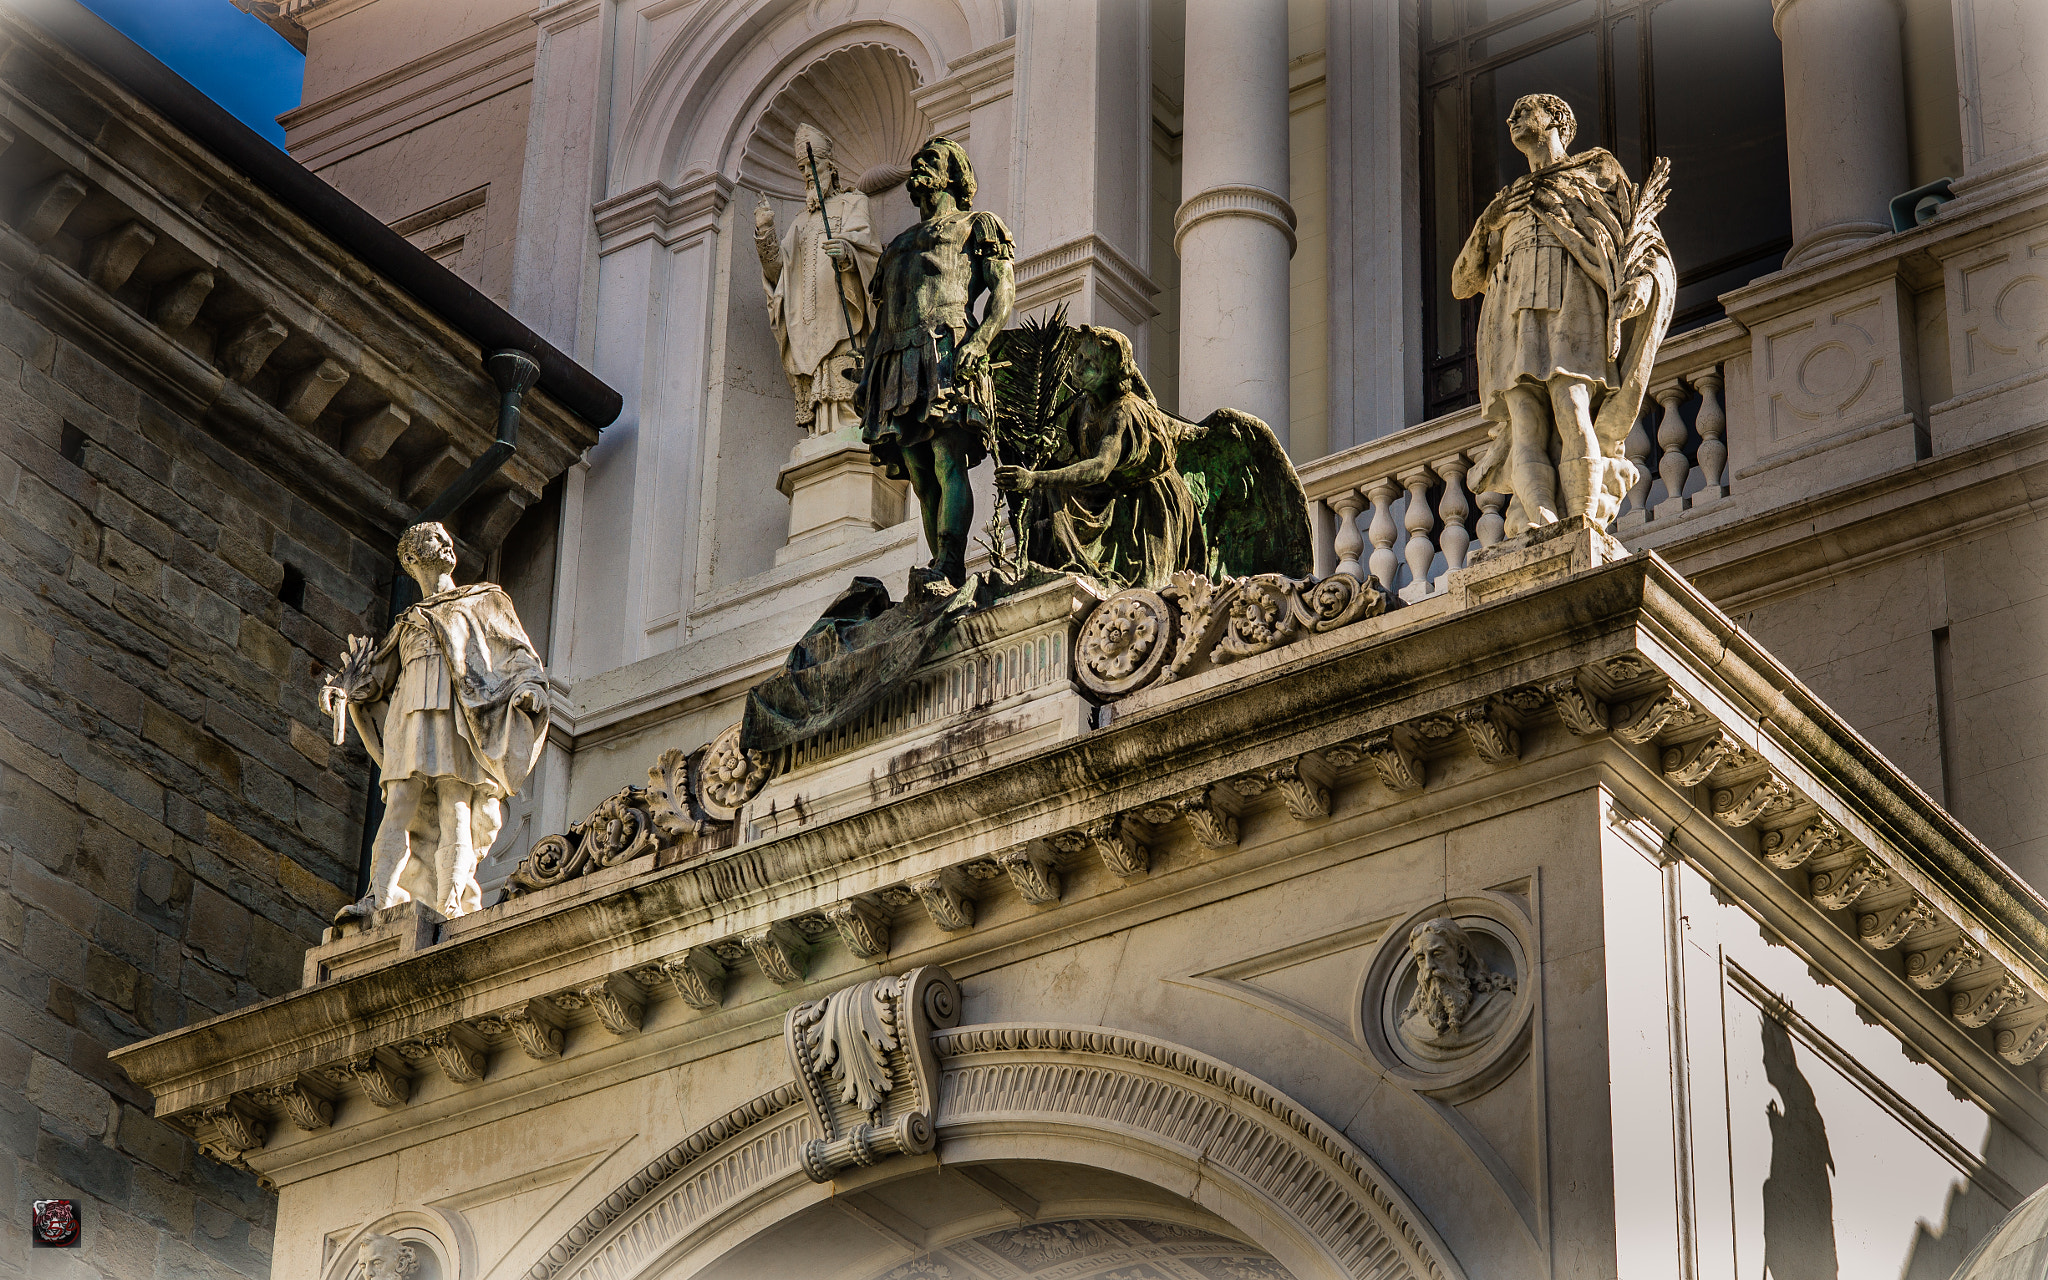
[1236, 230]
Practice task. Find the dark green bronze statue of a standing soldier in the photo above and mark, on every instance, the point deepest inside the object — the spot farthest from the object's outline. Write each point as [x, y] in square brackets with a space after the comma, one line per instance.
[927, 396]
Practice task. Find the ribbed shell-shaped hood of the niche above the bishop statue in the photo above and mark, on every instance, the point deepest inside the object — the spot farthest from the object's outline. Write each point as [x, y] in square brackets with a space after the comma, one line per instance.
[861, 97]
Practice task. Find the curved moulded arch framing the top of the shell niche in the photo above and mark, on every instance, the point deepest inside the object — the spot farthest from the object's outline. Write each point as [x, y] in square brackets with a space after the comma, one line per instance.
[708, 89]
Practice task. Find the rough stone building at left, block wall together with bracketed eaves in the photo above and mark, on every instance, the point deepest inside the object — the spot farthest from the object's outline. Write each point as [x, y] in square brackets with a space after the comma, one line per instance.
[216, 423]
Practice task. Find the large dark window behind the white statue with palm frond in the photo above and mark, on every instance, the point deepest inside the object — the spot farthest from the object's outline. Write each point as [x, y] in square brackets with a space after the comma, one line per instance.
[1697, 81]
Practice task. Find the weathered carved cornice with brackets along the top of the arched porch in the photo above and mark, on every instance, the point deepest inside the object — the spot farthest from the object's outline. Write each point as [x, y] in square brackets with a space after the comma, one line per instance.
[1635, 663]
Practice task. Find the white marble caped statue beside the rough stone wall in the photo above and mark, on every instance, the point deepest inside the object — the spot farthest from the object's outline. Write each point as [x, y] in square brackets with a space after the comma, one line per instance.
[454, 708]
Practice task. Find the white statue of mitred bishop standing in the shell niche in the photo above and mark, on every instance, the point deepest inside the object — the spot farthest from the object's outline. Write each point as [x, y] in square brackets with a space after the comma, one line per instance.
[818, 286]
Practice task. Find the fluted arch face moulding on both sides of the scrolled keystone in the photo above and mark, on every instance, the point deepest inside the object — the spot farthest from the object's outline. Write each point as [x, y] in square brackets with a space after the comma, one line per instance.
[1070, 1095]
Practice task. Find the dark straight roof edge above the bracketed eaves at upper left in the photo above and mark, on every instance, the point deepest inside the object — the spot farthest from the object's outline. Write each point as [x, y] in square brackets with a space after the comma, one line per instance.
[296, 187]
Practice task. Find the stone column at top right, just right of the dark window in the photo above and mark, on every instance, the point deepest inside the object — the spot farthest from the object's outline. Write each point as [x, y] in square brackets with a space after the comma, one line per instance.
[1846, 120]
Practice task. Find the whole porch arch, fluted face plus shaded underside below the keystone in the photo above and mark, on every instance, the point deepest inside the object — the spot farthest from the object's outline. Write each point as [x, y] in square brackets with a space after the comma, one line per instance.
[1166, 1134]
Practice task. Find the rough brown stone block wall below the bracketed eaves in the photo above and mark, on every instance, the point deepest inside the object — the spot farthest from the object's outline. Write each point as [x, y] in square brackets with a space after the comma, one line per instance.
[173, 822]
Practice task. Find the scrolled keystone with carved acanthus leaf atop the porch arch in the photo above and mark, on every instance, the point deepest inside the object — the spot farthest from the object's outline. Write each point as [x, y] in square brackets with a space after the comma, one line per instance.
[863, 1060]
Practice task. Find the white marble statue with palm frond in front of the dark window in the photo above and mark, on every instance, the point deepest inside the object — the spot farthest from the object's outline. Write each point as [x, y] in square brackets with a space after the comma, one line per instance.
[1578, 296]
